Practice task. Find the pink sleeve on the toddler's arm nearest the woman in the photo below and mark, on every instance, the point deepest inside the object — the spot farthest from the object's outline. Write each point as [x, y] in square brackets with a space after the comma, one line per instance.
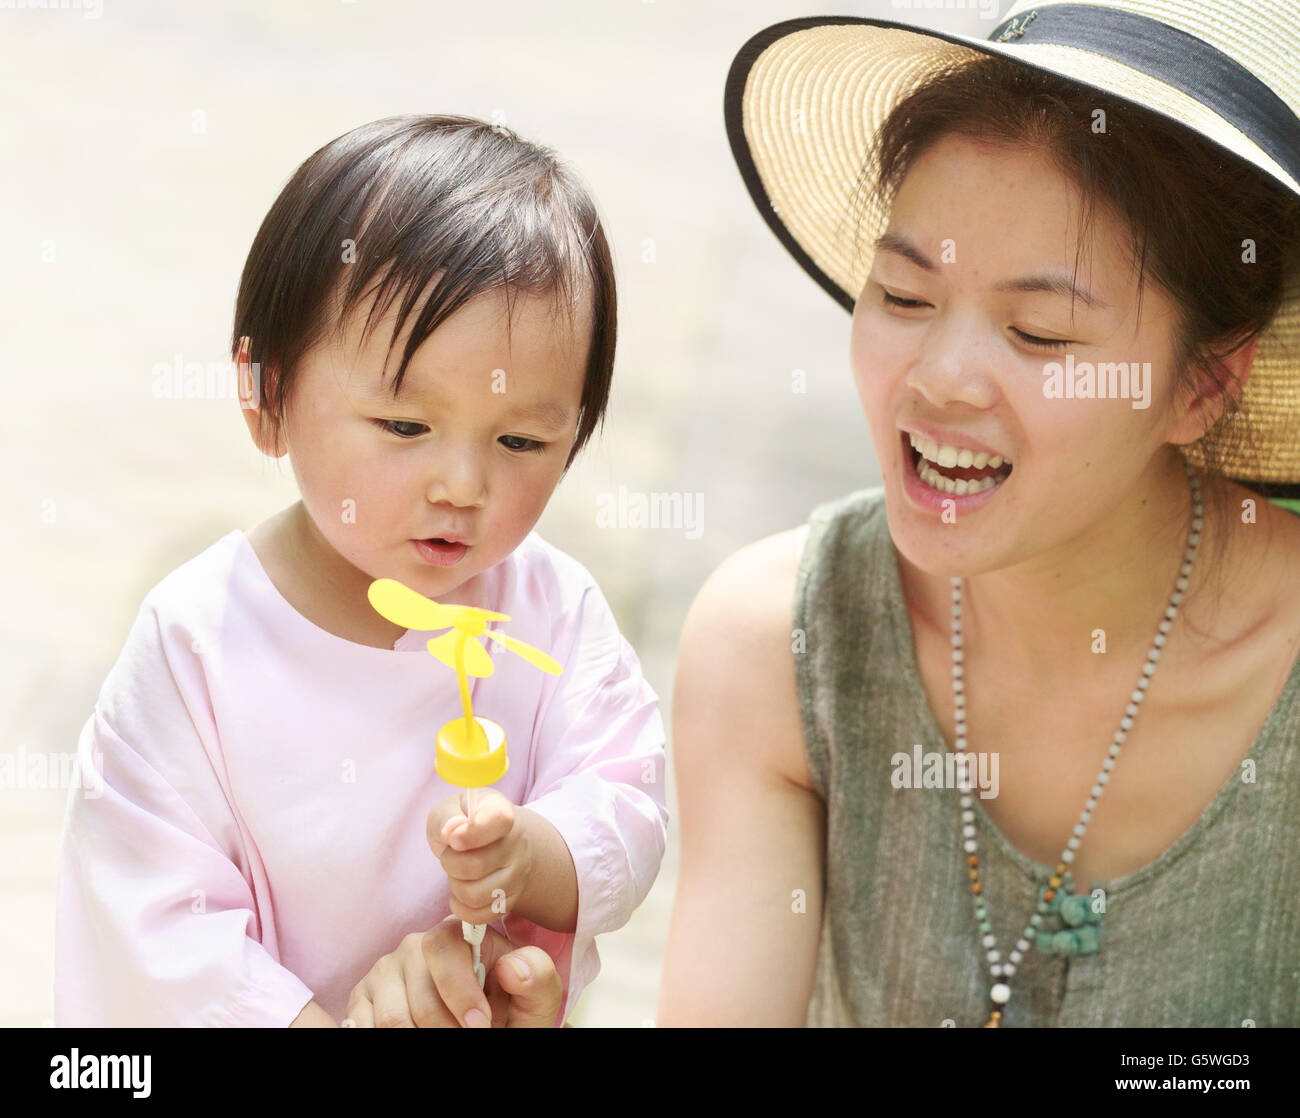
[600, 782]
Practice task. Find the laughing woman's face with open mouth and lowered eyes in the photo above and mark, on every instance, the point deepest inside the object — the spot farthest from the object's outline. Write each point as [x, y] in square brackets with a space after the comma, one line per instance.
[991, 233]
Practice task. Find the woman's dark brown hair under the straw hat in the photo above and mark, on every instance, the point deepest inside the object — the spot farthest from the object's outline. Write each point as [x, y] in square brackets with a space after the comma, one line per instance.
[1189, 207]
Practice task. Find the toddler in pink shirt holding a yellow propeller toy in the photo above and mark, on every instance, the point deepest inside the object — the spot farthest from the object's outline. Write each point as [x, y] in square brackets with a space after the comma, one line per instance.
[426, 327]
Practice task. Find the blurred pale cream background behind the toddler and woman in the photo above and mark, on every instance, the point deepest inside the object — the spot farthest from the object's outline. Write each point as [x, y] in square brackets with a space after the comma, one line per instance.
[142, 149]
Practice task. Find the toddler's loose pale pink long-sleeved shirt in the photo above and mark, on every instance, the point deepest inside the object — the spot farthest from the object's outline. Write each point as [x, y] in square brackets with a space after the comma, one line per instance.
[258, 835]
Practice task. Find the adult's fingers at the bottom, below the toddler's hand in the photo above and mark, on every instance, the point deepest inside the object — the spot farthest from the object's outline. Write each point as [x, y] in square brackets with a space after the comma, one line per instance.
[428, 982]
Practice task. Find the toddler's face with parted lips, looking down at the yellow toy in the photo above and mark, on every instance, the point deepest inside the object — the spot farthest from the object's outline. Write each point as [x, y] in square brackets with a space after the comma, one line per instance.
[473, 448]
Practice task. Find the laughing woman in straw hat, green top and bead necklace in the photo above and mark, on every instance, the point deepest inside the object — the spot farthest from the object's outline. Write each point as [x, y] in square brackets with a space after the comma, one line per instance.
[1076, 346]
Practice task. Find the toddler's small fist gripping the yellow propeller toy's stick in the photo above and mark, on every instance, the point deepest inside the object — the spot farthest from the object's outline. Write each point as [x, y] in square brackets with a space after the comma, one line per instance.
[488, 861]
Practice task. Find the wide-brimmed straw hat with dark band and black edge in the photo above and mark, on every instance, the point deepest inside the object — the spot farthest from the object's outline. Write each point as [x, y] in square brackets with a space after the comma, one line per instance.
[805, 97]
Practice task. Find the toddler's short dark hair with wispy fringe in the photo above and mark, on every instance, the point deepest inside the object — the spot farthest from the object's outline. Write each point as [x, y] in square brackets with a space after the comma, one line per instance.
[400, 201]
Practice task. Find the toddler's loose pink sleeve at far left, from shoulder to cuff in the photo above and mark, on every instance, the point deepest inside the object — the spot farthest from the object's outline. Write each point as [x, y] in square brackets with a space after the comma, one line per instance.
[155, 924]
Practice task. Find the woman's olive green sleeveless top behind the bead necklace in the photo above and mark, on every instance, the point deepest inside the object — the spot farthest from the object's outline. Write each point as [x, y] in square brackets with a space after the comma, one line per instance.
[1206, 935]
